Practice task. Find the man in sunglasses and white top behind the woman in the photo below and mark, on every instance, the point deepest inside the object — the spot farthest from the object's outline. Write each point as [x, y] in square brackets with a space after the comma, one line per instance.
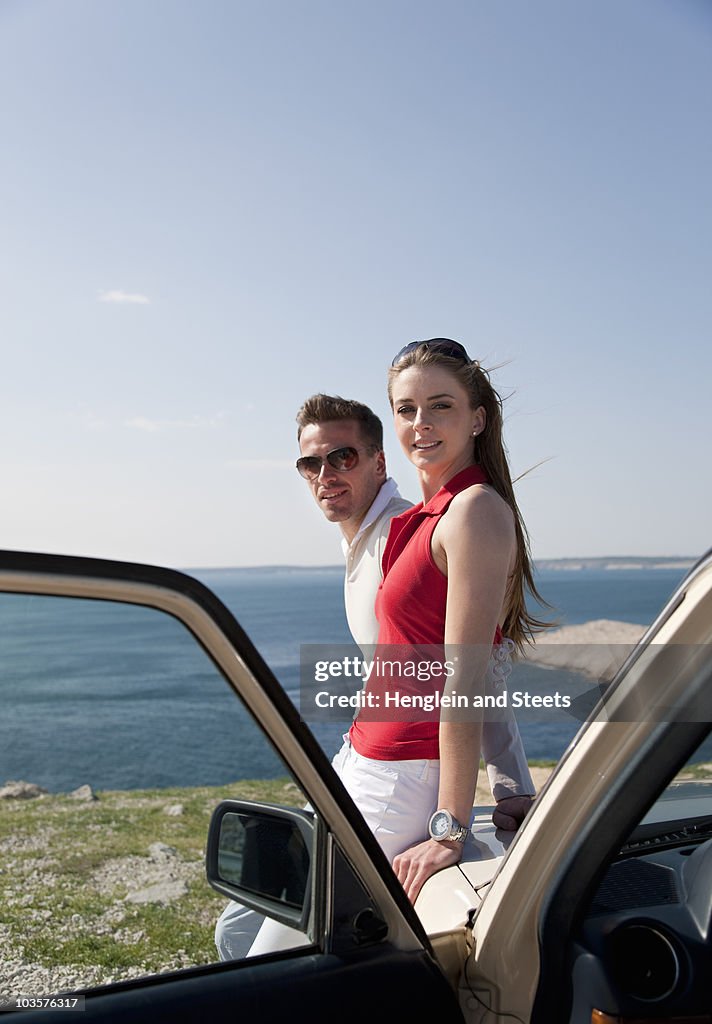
[343, 460]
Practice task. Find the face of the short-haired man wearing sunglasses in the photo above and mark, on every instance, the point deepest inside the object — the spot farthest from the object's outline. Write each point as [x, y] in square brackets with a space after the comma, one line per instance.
[344, 497]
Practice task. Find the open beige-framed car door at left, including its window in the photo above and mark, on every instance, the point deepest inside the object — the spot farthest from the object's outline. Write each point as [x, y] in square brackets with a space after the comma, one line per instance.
[94, 657]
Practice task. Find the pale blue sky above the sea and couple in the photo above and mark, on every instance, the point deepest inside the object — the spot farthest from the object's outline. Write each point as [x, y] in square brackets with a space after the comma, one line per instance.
[212, 210]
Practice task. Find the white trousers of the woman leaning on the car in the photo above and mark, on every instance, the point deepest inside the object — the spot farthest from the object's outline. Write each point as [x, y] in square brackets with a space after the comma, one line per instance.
[397, 799]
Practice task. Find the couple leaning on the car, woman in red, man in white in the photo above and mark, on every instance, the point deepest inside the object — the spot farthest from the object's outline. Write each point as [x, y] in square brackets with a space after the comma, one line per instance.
[451, 571]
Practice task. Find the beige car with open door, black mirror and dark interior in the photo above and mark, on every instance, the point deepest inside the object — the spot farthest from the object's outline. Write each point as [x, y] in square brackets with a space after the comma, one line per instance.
[599, 910]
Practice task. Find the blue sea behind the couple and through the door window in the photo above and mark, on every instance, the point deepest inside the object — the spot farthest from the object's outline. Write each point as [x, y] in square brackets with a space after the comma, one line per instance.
[65, 723]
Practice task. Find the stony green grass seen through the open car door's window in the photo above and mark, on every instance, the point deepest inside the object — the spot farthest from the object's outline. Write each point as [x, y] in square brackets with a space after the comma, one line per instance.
[69, 869]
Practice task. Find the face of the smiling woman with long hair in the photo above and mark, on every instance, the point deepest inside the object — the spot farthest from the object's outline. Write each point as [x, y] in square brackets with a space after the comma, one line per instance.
[434, 420]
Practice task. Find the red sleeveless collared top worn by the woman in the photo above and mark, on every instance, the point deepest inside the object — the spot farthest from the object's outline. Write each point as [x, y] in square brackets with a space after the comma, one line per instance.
[409, 672]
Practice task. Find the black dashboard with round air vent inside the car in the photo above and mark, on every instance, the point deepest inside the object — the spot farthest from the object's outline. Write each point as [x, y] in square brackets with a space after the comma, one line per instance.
[645, 948]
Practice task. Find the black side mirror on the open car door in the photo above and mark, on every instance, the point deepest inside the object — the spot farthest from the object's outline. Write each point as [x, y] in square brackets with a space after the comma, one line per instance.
[262, 856]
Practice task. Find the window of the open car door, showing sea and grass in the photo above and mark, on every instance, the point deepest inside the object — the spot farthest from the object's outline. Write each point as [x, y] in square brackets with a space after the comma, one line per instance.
[118, 739]
